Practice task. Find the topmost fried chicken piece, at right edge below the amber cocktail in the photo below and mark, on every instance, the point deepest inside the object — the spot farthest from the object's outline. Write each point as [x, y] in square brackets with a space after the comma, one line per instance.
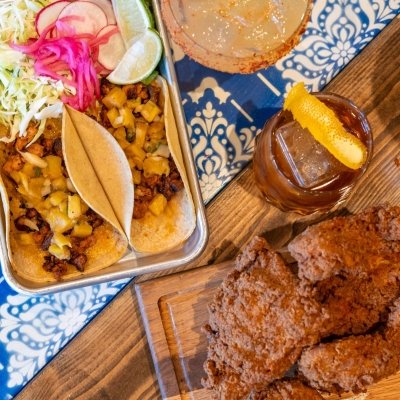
[353, 245]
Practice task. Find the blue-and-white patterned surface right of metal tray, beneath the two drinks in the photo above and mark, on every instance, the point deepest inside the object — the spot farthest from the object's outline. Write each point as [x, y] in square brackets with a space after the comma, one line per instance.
[224, 112]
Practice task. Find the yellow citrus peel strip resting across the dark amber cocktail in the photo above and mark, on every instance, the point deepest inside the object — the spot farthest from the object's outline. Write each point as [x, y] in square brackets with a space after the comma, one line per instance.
[322, 122]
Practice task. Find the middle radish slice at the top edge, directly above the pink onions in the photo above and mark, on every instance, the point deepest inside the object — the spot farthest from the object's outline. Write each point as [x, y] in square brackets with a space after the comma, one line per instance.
[89, 18]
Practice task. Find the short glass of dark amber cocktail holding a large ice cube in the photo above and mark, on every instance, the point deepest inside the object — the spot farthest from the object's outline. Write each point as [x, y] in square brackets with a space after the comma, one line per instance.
[295, 172]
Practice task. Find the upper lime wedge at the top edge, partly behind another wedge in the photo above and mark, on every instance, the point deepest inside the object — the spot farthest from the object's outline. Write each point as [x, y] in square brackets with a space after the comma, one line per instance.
[133, 18]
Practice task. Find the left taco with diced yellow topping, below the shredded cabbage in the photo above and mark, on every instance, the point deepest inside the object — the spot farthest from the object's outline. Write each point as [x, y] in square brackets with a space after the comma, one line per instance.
[51, 232]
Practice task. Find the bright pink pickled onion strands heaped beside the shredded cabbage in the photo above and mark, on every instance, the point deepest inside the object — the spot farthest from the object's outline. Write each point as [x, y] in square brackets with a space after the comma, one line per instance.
[69, 58]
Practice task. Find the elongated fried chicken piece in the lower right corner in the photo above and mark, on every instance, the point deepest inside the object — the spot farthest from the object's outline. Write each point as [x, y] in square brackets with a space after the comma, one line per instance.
[354, 363]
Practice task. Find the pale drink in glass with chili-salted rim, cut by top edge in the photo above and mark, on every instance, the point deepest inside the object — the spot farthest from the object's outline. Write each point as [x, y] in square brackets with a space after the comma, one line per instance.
[236, 35]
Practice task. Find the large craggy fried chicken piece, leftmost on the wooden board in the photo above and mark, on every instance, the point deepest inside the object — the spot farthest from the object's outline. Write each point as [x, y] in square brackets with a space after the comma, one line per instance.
[259, 323]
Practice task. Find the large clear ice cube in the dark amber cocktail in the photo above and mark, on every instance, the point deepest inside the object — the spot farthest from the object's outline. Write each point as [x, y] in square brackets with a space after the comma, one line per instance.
[312, 165]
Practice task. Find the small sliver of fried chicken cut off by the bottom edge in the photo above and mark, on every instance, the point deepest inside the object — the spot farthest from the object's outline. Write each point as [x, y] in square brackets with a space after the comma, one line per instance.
[287, 389]
